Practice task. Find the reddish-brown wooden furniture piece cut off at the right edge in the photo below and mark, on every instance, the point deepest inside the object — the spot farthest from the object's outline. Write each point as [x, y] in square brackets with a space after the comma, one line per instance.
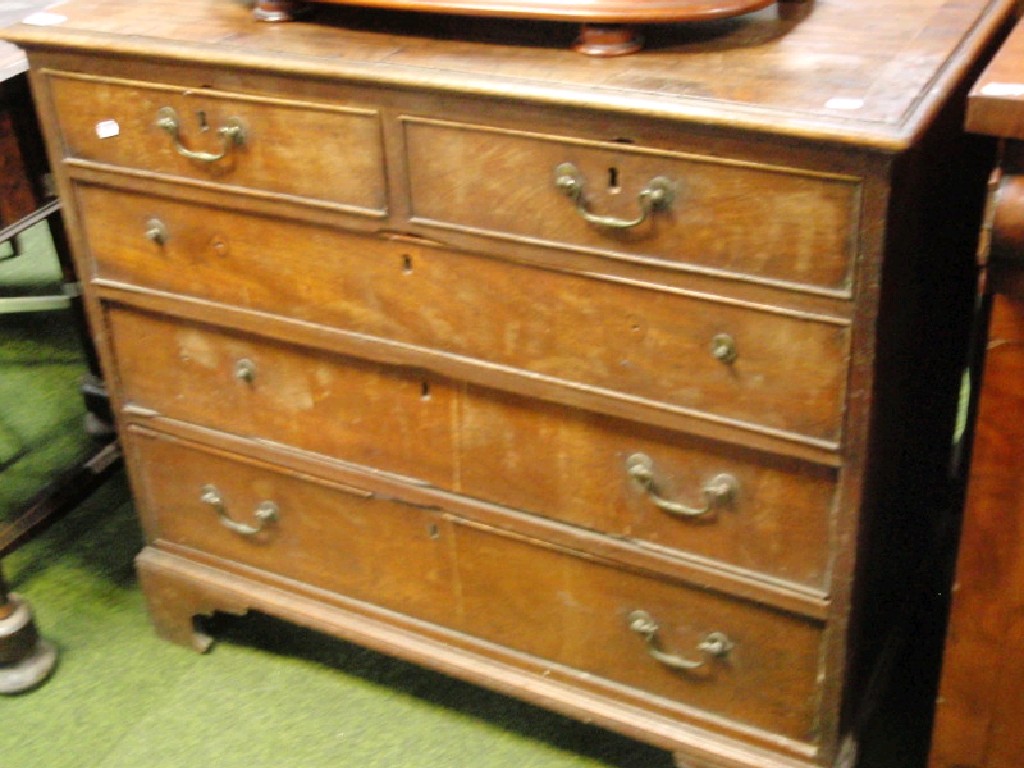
[982, 698]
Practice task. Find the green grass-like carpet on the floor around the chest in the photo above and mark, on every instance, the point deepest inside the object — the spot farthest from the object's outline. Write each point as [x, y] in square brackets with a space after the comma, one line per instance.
[270, 696]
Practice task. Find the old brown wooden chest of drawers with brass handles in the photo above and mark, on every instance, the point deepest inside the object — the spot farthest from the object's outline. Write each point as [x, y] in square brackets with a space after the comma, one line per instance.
[623, 387]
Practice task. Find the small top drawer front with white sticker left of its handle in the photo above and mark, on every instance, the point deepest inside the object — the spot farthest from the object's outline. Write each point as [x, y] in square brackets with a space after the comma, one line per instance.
[115, 123]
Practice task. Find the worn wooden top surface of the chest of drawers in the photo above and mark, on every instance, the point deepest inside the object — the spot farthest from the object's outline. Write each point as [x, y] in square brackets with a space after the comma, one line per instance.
[864, 72]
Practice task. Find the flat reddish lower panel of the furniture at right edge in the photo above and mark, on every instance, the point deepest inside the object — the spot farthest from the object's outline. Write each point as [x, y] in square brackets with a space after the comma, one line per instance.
[983, 695]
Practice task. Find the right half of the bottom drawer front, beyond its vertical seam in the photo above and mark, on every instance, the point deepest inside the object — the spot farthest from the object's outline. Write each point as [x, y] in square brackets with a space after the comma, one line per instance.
[577, 613]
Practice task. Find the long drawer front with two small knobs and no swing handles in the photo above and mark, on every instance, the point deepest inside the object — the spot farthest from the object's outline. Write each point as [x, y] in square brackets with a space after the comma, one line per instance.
[789, 374]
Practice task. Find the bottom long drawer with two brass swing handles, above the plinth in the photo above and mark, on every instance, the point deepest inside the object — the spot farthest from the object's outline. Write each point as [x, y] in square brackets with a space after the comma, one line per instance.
[751, 665]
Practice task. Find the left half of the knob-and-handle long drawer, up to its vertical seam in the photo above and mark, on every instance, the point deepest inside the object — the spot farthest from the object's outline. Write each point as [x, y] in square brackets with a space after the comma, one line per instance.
[356, 411]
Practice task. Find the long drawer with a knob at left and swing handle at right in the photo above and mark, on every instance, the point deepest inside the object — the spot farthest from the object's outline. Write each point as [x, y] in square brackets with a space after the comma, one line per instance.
[558, 462]
